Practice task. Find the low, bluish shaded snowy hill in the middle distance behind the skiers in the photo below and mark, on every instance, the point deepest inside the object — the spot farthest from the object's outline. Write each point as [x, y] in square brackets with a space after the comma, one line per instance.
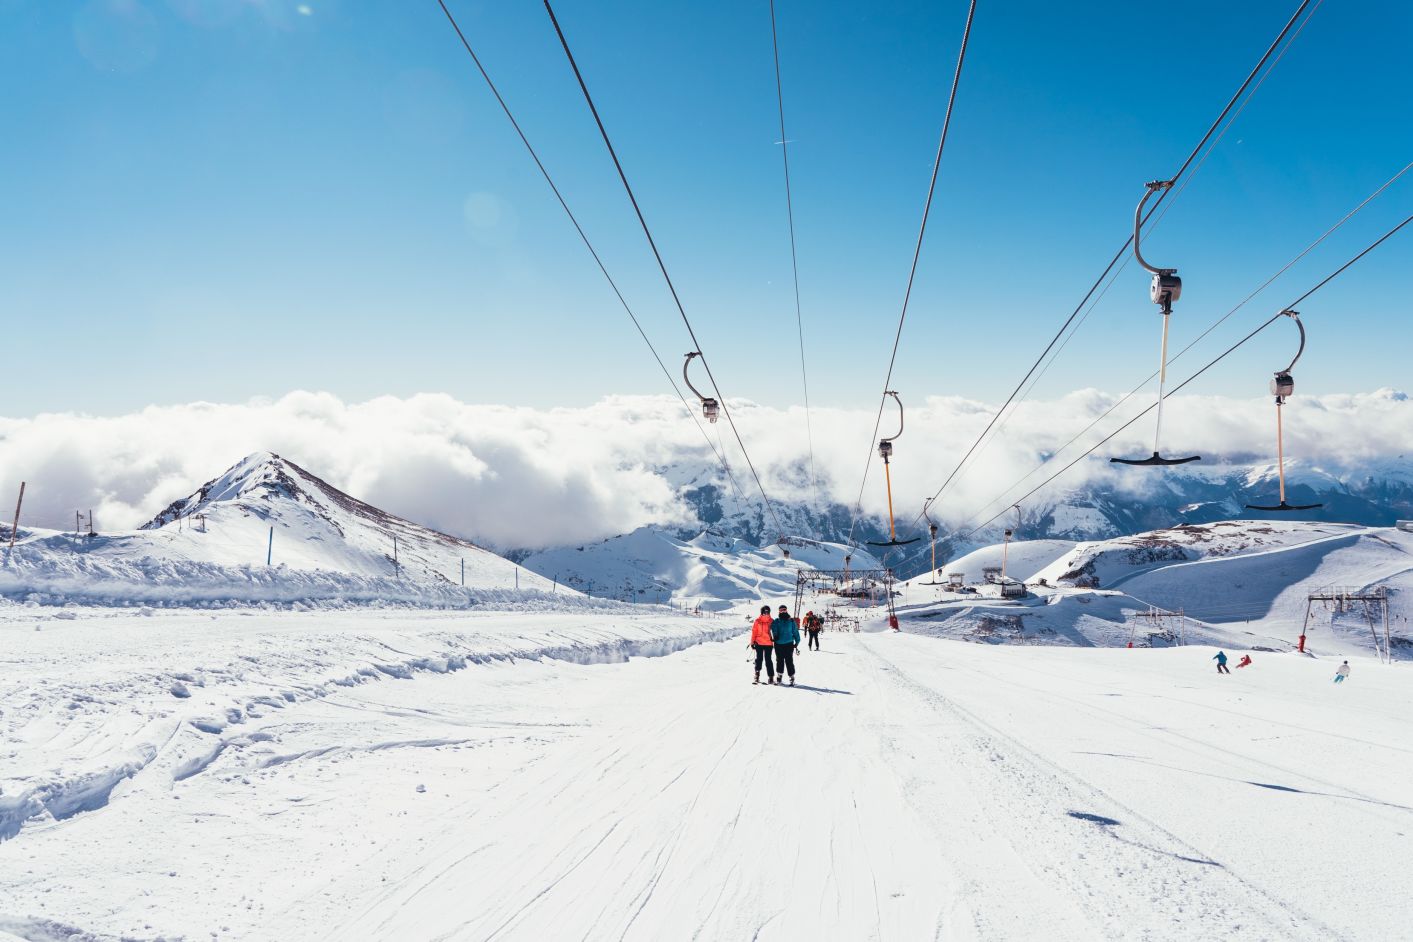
[707, 571]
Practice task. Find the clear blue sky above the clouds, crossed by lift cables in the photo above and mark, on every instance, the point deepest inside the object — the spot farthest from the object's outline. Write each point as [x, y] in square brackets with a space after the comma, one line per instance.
[221, 200]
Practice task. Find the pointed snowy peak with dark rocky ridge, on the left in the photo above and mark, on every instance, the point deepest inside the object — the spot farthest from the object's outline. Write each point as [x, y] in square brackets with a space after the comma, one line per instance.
[214, 546]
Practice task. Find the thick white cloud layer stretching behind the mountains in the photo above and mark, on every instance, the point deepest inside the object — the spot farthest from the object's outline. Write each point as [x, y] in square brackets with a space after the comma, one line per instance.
[518, 478]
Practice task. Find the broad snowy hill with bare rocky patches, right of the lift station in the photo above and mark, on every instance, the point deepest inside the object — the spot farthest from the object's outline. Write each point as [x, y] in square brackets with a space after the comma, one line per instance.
[1240, 584]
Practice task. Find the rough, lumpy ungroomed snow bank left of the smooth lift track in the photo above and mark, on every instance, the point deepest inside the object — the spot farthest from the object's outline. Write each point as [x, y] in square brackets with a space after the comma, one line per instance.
[91, 698]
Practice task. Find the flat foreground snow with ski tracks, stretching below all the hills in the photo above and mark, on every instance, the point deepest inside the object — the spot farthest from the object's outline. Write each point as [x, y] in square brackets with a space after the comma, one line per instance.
[519, 775]
